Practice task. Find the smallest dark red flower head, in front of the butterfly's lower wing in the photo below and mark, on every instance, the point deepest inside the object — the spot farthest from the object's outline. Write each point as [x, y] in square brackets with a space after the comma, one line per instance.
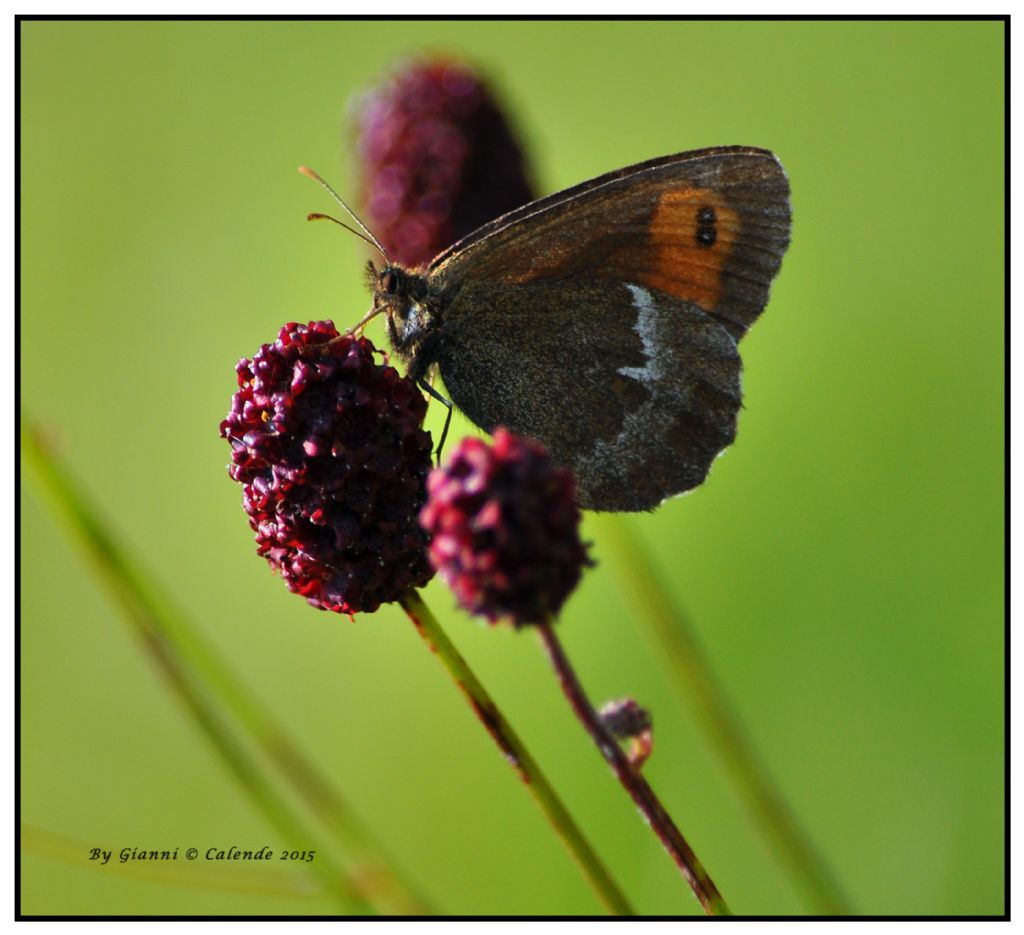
[505, 529]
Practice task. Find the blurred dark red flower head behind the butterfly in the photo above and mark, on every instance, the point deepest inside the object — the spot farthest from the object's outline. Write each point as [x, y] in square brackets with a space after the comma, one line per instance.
[439, 159]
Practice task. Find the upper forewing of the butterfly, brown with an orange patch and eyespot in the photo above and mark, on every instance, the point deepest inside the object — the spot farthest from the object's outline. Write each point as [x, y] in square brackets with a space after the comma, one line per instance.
[709, 228]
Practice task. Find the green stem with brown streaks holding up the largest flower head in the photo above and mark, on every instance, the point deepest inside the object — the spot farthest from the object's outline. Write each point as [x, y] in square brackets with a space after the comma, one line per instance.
[517, 754]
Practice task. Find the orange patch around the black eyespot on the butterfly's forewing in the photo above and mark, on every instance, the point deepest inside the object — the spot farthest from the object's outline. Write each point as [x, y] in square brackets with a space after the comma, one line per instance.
[682, 266]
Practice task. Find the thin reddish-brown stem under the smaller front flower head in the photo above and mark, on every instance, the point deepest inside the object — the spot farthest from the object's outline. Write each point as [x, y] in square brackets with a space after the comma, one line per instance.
[632, 781]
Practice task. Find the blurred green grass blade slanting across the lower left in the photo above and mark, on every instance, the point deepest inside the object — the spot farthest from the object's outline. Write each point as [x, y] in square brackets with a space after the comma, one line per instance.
[208, 688]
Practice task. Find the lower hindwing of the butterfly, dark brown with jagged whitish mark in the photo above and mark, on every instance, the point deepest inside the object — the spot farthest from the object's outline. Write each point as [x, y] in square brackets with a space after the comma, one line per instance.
[636, 419]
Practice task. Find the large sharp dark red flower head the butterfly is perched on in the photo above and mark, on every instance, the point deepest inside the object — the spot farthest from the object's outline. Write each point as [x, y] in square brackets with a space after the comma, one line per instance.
[333, 460]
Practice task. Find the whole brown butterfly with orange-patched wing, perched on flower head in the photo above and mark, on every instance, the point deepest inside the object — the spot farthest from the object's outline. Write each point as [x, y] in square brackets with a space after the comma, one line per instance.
[604, 321]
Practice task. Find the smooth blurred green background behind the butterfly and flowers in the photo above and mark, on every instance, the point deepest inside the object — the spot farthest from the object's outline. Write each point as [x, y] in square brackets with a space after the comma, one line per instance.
[843, 566]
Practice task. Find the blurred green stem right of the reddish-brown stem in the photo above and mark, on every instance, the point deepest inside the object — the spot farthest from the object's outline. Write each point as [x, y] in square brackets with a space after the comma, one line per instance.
[675, 642]
